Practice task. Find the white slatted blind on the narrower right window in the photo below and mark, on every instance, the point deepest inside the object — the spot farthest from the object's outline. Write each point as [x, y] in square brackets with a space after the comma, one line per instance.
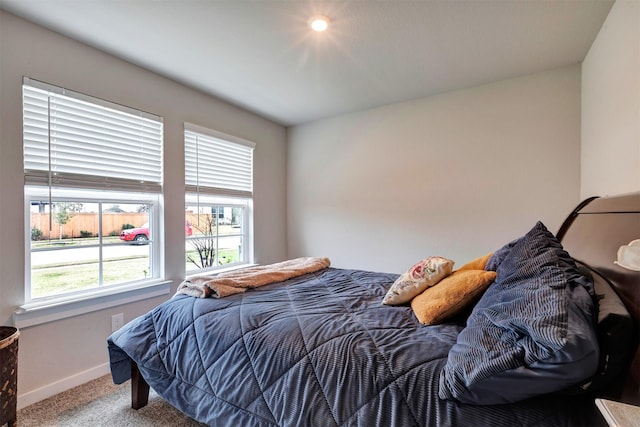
[216, 163]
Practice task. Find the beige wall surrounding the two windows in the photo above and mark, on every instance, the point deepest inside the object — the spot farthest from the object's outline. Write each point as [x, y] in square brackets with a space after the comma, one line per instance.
[57, 354]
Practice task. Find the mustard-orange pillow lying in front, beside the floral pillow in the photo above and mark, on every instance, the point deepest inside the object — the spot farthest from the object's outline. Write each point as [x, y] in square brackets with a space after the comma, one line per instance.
[451, 295]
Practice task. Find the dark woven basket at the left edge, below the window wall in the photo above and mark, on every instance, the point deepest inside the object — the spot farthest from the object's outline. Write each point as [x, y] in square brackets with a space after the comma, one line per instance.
[8, 374]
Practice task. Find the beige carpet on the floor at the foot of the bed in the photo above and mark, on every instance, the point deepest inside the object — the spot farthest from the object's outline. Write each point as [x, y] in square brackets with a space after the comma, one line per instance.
[101, 403]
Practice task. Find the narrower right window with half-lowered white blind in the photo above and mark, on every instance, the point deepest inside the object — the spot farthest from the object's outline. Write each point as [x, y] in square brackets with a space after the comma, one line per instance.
[219, 183]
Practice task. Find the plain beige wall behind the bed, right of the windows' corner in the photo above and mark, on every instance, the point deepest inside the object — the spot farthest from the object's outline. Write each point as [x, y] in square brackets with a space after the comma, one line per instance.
[457, 174]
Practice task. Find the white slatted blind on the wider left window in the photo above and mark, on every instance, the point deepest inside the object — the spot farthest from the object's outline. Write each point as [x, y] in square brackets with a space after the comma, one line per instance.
[73, 140]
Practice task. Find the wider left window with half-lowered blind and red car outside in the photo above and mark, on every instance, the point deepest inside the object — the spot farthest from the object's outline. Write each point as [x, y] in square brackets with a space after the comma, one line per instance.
[93, 183]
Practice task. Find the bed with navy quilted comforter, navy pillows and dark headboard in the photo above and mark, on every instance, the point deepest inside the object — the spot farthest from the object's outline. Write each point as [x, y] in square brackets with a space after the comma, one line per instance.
[321, 349]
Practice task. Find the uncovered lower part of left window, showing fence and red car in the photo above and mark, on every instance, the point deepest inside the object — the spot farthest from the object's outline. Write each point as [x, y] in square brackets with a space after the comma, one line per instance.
[78, 242]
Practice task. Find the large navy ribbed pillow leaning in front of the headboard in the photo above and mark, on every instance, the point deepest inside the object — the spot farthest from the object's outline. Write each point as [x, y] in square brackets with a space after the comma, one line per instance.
[531, 333]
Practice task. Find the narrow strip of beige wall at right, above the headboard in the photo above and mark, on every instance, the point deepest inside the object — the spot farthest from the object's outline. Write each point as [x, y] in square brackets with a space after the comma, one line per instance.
[611, 105]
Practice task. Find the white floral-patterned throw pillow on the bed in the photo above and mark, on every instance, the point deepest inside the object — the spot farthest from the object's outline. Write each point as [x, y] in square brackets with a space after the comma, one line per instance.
[422, 275]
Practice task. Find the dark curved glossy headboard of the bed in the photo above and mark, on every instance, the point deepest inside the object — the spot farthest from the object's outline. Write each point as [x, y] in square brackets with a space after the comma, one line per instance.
[593, 233]
